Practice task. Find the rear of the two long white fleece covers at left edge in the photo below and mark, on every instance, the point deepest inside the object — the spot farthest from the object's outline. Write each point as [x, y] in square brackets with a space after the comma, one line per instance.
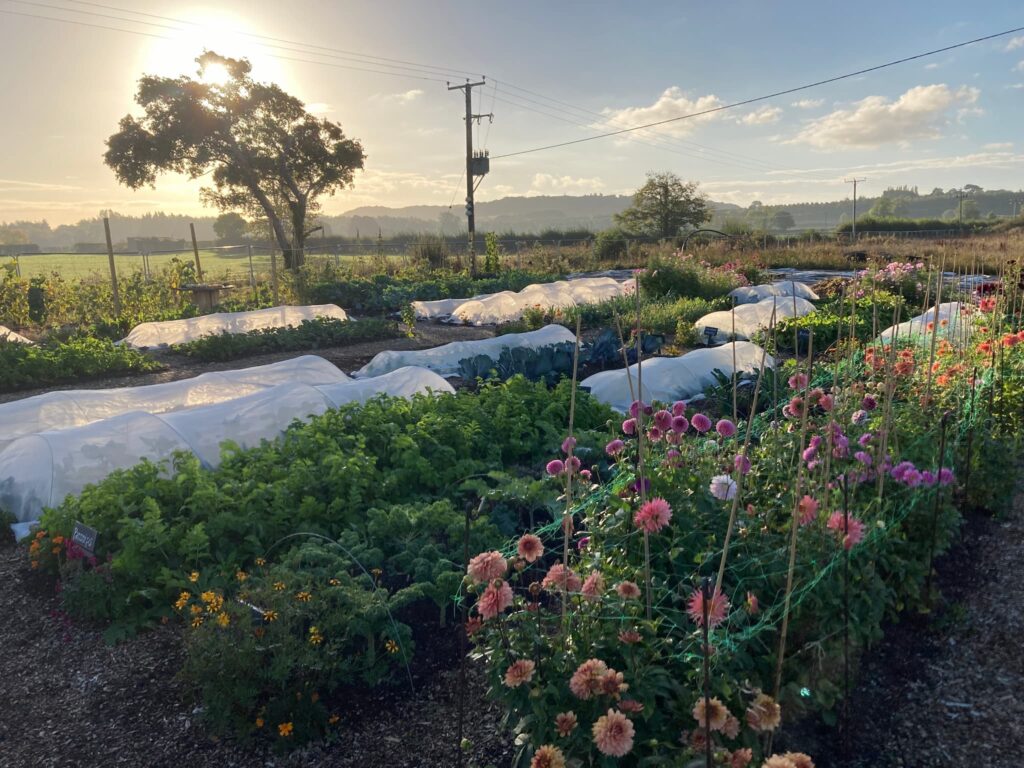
[74, 408]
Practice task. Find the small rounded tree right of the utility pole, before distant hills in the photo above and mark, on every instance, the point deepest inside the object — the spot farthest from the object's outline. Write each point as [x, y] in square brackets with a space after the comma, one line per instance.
[664, 206]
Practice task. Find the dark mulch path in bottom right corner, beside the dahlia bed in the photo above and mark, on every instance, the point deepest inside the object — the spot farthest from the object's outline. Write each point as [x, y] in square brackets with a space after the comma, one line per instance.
[946, 691]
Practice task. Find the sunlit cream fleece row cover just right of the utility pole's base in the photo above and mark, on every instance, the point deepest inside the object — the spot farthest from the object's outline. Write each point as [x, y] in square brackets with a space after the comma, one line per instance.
[509, 306]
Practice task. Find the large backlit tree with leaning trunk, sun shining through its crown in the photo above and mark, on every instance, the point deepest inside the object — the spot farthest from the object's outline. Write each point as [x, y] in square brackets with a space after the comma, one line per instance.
[267, 156]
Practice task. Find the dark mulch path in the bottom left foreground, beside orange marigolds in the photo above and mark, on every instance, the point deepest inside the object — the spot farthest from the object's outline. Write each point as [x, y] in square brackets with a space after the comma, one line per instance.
[70, 701]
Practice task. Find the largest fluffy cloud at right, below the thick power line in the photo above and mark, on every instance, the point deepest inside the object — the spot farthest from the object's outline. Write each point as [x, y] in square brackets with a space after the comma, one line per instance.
[919, 114]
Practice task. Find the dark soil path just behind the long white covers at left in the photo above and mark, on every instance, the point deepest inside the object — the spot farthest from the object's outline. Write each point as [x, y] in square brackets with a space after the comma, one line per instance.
[349, 359]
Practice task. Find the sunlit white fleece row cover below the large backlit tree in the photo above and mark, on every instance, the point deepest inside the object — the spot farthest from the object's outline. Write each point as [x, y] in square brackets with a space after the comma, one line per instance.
[165, 333]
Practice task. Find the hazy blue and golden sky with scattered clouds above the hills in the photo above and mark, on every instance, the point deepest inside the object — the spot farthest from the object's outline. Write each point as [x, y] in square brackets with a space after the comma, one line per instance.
[556, 72]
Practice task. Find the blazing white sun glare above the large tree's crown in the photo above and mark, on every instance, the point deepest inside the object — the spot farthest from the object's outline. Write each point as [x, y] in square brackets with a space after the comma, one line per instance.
[205, 29]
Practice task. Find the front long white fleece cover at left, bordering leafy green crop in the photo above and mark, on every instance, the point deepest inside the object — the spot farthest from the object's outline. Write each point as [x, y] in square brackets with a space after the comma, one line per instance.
[40, 471]
